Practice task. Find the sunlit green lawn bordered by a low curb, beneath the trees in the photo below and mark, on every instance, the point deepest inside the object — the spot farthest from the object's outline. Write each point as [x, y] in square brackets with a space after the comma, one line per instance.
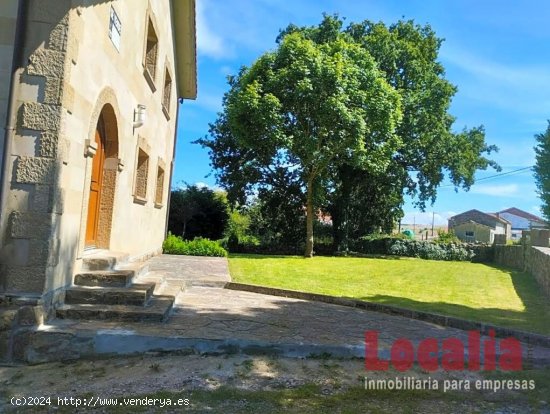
[467, 290]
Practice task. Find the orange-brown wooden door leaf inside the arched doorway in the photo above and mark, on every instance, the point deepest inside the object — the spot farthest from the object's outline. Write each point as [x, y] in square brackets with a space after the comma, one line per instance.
[95, 189]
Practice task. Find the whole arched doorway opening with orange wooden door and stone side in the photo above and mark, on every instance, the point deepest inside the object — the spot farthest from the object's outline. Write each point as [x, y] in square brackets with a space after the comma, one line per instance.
[103, 181]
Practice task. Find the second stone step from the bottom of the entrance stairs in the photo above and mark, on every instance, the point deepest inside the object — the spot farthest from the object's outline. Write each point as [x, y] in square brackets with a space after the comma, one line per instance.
[136, 294]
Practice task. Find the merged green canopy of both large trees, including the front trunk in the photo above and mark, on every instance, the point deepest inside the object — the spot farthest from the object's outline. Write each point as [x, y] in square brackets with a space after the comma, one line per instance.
[349, 118]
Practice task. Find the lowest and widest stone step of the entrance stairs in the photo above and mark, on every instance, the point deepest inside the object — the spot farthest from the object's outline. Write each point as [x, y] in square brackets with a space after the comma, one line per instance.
[156, 310]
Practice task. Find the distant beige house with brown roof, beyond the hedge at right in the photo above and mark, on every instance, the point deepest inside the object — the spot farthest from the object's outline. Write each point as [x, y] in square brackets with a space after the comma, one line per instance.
[476, 226]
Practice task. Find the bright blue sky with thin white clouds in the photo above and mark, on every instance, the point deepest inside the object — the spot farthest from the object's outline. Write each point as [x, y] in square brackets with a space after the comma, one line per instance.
[496, 52]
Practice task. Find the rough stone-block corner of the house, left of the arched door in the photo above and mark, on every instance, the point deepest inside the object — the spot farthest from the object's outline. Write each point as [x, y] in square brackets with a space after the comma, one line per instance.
[34, 196]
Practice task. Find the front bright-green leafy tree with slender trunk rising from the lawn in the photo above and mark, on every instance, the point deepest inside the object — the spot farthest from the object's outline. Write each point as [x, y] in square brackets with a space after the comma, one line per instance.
[299, 112]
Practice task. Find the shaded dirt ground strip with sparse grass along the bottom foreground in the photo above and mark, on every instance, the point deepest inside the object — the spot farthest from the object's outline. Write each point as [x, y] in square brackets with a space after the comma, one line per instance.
[235, 384]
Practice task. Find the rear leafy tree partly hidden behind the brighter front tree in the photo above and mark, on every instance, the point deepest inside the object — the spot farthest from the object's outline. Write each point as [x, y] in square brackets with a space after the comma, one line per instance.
[407, 56]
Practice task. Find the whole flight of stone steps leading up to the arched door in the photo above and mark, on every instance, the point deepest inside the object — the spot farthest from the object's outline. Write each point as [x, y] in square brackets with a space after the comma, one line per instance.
[108, 288]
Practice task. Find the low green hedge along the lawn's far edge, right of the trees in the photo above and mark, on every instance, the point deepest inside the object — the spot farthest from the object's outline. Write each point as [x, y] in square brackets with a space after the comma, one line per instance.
[398, 246]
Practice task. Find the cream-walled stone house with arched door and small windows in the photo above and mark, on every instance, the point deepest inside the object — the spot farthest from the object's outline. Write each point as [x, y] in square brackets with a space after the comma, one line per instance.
[89, 96]
